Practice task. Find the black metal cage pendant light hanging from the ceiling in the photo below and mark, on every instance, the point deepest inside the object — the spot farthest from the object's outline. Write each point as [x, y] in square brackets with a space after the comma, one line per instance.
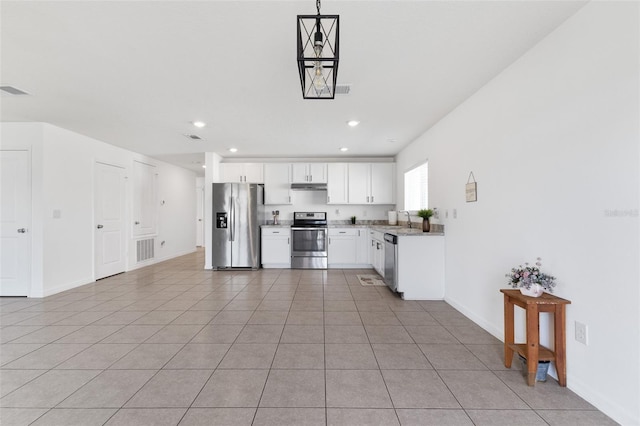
[318, 47]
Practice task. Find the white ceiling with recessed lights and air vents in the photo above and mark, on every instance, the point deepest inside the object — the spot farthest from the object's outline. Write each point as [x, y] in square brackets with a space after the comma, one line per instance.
[136, 73]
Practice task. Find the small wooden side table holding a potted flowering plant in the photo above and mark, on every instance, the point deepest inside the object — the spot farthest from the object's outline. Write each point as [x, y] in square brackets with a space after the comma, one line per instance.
[532, 350]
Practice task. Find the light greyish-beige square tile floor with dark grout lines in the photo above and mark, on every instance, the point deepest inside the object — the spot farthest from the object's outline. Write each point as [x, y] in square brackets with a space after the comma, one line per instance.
[173, 344]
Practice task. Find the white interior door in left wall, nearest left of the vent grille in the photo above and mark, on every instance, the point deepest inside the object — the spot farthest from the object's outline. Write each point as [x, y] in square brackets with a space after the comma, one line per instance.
[109, 220]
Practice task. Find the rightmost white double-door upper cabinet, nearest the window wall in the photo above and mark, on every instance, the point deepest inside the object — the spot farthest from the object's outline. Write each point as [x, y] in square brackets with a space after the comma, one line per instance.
[371, 183]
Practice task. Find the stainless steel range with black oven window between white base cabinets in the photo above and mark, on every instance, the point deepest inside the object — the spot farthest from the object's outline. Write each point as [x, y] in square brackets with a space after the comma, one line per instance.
[309, 236]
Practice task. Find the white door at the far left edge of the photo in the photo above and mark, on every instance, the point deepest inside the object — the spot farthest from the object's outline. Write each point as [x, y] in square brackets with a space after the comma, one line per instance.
[15, 212]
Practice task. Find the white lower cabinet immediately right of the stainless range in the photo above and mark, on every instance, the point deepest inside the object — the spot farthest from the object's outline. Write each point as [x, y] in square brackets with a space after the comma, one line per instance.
[346, 248]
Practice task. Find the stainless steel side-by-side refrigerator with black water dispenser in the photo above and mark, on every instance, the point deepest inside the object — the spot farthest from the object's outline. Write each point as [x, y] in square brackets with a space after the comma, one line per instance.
[237, 216]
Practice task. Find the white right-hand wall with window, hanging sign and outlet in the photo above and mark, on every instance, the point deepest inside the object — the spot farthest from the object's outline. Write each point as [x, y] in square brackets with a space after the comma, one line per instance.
[553, 144]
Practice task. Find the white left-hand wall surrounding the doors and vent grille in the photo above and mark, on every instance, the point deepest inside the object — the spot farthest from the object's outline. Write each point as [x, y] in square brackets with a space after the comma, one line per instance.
[62, 179]
